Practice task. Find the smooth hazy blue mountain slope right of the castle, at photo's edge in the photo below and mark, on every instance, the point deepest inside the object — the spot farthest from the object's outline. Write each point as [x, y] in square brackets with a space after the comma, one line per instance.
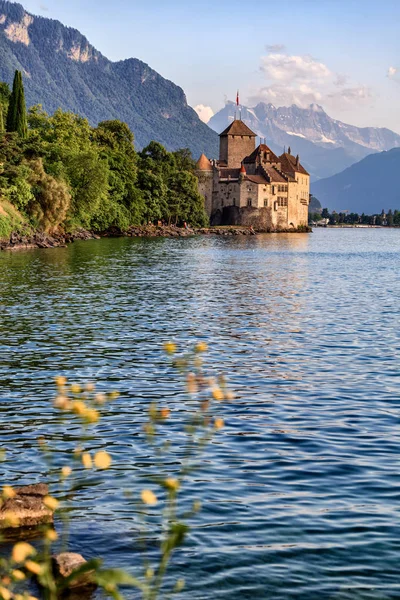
[366, 187]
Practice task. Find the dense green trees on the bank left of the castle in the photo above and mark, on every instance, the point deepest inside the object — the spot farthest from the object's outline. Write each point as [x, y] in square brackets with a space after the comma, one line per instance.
[56, 171]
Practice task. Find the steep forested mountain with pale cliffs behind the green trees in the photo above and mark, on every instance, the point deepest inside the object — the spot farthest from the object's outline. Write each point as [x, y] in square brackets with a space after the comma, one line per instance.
[62, 69]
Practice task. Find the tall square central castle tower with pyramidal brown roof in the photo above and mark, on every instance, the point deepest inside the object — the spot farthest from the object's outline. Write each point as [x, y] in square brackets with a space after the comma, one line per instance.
[236, 142]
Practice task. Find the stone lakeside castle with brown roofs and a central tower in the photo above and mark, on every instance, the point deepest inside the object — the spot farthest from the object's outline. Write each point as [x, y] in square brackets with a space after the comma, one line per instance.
[252, 186]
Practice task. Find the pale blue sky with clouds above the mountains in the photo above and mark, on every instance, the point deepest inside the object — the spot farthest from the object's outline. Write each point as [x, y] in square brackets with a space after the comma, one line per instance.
[341, 54]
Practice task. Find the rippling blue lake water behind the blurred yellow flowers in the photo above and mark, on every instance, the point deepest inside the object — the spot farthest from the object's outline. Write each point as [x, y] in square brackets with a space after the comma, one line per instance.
[301, 490]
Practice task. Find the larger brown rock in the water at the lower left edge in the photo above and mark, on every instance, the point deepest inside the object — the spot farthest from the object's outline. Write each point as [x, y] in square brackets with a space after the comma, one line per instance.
[26, 509]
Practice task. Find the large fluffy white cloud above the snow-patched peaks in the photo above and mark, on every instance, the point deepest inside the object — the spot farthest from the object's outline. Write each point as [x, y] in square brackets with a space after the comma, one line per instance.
[304, 80]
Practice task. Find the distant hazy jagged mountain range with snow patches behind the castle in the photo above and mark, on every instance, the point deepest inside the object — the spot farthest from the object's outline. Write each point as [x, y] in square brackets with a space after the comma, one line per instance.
[326, 146]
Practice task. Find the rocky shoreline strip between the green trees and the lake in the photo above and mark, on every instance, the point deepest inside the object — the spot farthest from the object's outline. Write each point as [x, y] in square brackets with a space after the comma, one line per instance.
[40, 240]
